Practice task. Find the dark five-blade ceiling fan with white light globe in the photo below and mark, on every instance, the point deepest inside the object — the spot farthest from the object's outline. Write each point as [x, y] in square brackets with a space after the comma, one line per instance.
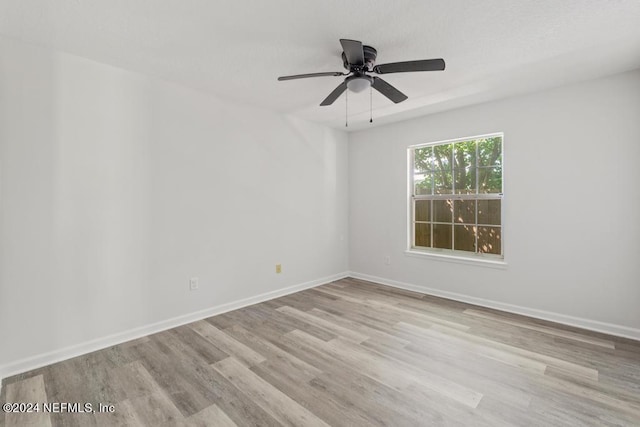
[360, 60]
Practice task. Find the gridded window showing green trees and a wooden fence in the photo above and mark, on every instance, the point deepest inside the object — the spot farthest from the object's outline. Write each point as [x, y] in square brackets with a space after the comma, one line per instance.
[456, 197]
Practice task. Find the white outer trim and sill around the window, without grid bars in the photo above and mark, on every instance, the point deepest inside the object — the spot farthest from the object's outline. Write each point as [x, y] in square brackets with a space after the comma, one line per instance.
[460, 257]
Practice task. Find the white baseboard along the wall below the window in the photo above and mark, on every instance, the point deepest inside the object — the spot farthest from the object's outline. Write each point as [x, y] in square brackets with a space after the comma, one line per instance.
[592, 325]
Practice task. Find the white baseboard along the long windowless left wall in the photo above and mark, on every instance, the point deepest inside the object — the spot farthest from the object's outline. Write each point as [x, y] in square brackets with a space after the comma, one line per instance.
[37, 361]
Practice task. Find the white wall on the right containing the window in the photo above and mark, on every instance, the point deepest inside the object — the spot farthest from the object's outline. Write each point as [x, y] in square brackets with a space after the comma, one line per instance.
[572, 203]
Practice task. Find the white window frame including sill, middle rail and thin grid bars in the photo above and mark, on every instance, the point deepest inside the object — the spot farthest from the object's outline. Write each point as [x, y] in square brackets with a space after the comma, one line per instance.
[445, 253]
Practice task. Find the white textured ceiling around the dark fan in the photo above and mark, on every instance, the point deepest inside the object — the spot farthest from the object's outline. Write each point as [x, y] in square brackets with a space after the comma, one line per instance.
[237, 48]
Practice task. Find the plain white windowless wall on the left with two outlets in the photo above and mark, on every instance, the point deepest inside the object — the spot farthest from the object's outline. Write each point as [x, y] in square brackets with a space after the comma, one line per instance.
[115, 188]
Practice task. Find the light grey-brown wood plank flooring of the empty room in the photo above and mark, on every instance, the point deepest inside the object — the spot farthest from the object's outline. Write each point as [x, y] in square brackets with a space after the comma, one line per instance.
[350, 353]
